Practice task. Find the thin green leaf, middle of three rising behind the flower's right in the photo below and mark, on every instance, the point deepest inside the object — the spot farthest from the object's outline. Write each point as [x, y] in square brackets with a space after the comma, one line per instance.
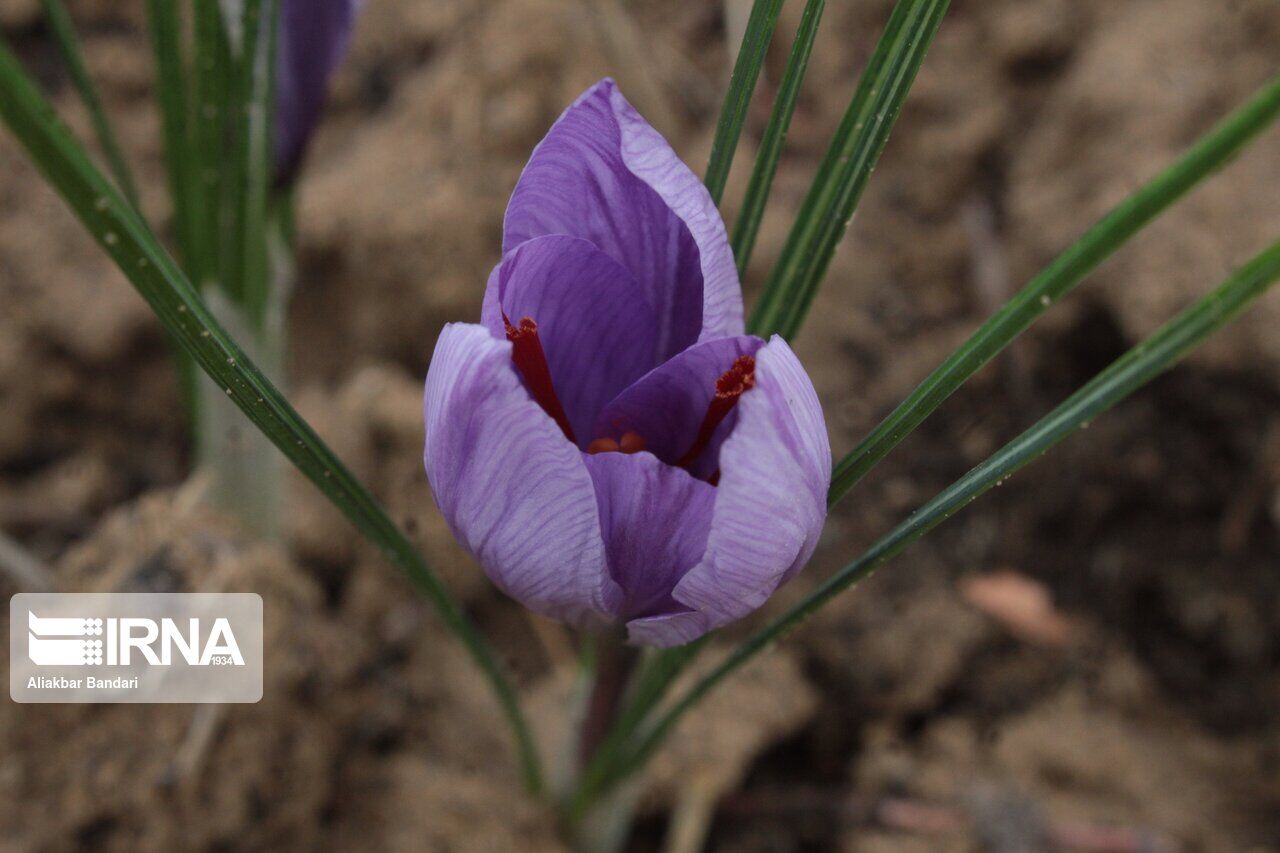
[752, 213]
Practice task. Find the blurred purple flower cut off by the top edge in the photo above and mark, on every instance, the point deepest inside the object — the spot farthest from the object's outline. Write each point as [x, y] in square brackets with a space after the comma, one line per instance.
[314, 38]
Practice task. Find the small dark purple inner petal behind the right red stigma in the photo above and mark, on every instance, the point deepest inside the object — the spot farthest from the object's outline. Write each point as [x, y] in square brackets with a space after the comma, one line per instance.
[668, 405]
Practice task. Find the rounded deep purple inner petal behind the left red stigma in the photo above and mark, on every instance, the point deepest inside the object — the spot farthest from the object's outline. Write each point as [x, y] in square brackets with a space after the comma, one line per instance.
[595, 326]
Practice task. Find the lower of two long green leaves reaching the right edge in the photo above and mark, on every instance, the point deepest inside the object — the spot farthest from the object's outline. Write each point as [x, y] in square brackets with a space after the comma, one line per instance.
[1123, 377]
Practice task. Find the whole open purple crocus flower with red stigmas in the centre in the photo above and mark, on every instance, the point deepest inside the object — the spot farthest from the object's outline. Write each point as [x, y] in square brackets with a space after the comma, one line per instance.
[607, 443]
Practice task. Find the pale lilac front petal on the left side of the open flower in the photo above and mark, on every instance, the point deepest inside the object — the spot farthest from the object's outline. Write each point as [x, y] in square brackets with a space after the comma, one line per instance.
[515, 494]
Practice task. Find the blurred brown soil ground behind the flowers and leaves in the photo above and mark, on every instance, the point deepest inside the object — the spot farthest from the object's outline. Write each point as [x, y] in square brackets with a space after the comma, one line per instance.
[902, 718]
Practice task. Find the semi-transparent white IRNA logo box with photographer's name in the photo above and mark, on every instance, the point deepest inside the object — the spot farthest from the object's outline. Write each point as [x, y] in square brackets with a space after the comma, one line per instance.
[136, 647]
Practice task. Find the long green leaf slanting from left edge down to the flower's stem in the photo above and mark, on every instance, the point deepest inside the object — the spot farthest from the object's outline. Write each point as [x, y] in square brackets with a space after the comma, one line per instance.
[127, 240]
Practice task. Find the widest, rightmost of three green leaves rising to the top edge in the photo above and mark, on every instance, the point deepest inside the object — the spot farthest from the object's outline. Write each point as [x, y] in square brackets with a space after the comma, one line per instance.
[843, 175]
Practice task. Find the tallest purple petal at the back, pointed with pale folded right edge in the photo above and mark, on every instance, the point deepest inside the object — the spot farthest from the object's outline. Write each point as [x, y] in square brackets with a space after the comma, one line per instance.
[605, 175]
